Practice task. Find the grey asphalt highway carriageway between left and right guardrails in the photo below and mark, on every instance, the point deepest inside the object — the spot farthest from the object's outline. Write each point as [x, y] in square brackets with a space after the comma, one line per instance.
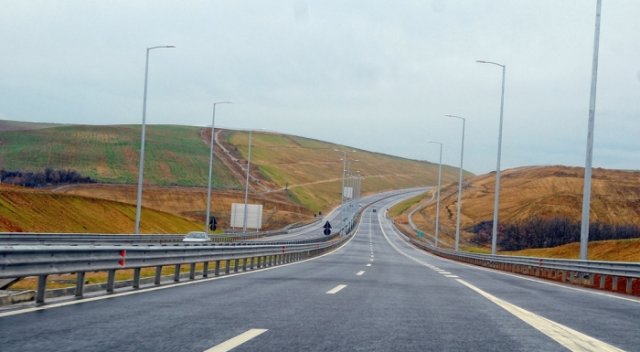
[377, 293]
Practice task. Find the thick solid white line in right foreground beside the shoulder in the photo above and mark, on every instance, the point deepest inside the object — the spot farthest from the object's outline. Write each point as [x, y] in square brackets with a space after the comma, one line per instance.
[564, 335]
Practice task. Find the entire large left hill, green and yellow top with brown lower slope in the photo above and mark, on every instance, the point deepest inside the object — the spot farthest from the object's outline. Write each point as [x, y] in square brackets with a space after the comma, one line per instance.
[293, 177]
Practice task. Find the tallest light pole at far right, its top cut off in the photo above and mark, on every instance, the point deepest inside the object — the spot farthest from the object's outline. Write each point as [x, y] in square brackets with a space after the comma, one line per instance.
[586, 194]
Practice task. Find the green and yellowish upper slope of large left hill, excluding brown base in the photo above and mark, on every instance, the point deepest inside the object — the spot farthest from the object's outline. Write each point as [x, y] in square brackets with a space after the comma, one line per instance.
[307, 171]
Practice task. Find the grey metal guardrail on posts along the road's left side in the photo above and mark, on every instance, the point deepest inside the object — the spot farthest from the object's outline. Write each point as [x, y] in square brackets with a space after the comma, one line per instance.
[41, 261]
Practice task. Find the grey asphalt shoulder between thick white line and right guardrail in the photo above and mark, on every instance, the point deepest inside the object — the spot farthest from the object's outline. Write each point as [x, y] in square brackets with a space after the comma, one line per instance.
[607, 317]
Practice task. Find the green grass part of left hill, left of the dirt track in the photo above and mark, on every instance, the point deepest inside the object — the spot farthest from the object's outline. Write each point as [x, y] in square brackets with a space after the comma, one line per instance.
[174, 155]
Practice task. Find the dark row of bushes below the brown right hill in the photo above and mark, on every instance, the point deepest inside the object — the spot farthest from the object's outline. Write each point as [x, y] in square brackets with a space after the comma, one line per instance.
[544, 233]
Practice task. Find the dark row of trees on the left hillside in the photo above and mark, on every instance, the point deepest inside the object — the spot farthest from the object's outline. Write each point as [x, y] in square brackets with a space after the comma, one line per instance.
[48, 177]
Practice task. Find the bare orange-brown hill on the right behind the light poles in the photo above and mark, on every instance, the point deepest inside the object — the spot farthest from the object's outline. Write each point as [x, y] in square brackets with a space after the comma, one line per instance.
[534, 192]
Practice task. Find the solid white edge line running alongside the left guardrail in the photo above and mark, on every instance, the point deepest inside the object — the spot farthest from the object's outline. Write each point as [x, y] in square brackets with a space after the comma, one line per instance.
[166, 286]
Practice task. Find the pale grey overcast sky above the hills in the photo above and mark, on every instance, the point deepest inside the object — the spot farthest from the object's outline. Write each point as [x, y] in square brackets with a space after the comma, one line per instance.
[372, 74]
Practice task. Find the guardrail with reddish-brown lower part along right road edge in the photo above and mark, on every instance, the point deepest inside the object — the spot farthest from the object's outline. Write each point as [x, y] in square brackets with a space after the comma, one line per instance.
[620, 277]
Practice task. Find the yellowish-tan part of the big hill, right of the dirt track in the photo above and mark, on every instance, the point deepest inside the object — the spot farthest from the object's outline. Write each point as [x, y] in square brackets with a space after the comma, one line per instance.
[311, 170]
